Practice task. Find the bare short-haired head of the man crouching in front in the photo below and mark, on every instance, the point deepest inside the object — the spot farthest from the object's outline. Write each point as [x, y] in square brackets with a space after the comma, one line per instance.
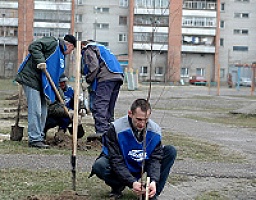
[139, 113]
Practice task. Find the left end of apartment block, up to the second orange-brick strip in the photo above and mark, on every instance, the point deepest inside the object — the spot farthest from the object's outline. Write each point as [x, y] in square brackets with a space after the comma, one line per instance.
[23, 21]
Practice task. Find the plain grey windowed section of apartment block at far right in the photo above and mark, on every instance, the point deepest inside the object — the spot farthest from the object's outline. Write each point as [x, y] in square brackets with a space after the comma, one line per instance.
[237, 42]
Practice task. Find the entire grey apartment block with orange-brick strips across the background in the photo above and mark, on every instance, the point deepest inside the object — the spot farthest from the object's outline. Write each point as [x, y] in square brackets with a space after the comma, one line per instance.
[167, 40]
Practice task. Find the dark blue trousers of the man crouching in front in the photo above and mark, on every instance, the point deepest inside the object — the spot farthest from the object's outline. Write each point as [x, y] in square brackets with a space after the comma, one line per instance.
[102, 169]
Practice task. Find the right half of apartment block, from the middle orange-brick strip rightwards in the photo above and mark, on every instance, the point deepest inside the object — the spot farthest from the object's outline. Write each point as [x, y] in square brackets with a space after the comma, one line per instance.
[207, 39]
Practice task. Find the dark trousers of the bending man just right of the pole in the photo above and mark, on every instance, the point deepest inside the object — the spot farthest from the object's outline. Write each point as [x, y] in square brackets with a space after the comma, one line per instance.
[104, 104]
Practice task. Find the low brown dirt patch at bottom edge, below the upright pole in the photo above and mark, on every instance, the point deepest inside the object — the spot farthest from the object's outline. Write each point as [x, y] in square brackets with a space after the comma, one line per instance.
[66, 195]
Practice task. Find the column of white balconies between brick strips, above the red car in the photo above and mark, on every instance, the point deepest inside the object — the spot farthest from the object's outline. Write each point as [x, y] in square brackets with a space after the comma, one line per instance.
[200, 39]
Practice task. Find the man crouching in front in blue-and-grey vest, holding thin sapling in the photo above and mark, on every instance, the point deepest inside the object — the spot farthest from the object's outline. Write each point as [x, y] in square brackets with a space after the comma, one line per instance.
[121, 160]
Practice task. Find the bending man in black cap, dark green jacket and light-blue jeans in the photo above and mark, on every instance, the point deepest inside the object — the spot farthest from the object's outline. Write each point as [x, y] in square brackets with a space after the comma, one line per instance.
[50, 51]
